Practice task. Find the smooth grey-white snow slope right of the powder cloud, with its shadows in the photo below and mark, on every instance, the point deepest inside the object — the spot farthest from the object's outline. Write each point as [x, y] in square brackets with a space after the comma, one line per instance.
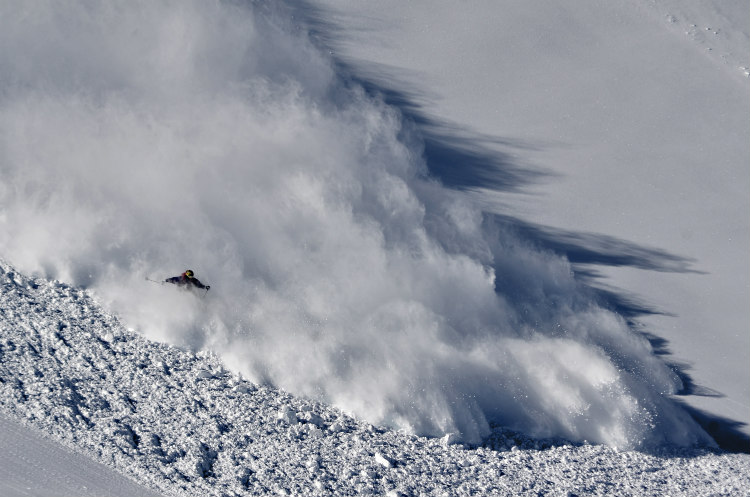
[637, 111]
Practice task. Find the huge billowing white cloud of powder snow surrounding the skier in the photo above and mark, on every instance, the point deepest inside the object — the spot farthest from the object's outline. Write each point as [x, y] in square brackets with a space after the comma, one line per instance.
[142, 138]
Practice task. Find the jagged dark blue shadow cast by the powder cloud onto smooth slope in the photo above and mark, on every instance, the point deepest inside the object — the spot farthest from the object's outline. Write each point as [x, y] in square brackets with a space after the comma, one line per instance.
[464, 160]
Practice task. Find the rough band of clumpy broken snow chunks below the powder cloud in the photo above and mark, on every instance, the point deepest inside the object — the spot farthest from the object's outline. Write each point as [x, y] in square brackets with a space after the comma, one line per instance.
[182, 424]
